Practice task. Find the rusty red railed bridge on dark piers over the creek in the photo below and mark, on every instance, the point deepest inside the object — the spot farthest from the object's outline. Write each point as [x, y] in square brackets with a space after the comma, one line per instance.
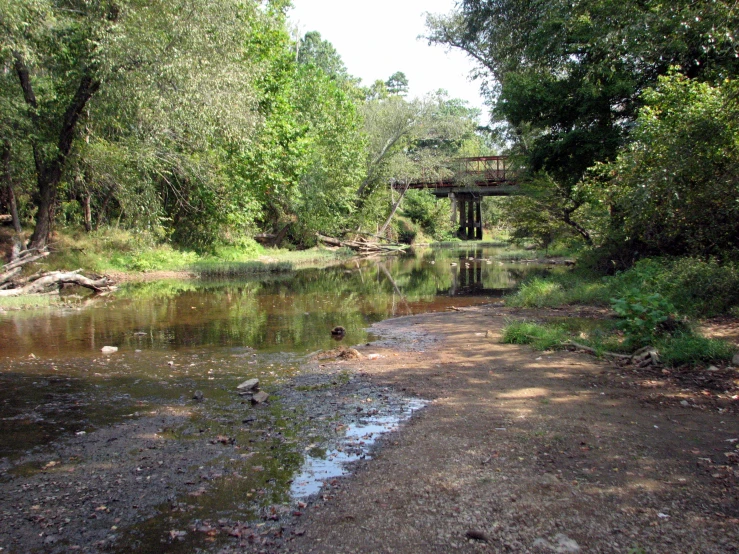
[465, 182]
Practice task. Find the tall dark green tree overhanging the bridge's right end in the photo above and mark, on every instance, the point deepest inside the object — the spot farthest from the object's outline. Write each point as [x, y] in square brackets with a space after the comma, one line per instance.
[565, 78]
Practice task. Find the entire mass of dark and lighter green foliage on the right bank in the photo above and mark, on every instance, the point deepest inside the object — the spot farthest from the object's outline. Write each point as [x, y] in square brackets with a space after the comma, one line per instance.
[568, 80]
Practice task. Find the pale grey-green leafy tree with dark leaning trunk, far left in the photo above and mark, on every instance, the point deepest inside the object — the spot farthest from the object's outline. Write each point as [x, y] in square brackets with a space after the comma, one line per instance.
[162, 98]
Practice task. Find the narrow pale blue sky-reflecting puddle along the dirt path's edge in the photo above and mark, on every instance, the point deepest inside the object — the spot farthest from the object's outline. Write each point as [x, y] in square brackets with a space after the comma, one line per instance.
[356, 444]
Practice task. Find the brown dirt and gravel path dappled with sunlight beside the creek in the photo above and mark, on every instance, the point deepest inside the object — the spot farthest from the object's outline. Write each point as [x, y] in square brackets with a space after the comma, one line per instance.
[531, 452]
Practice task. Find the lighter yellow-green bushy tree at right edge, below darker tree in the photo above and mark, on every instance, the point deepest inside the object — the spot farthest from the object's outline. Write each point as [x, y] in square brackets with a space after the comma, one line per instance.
[675, 188]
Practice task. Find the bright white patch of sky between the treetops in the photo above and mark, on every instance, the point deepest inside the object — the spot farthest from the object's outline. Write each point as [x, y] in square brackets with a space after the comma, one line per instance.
[376, 39]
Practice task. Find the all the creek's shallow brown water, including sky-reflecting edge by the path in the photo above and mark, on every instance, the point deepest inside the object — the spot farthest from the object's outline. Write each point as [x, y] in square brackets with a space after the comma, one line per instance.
[175, 338]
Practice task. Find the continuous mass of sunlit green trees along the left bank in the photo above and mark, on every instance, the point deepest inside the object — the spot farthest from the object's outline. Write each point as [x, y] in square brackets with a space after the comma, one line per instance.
[201, 123]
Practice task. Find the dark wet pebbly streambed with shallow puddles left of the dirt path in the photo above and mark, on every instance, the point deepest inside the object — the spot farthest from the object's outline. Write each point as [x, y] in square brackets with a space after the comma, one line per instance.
[199, 473]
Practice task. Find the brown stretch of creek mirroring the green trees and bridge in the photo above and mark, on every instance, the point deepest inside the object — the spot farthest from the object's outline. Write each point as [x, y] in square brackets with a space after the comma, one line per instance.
[292, 312]
